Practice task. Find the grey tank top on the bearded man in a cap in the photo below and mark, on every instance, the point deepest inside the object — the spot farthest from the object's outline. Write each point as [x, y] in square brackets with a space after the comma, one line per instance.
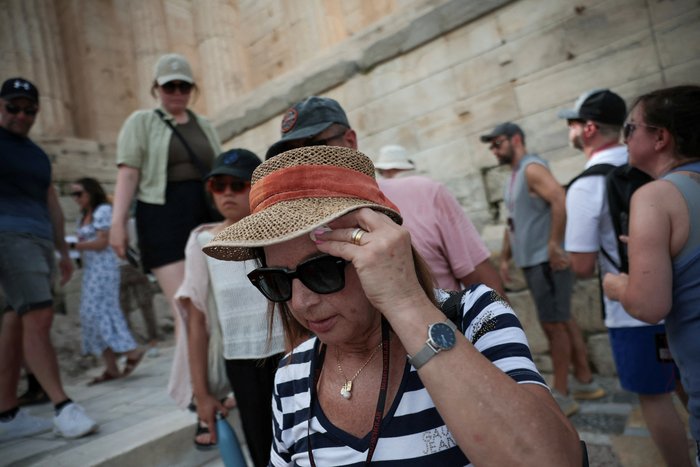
[530, 217]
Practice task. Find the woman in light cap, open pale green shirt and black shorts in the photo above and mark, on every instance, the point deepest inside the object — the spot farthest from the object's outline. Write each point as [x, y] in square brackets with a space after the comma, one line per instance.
[162, 157]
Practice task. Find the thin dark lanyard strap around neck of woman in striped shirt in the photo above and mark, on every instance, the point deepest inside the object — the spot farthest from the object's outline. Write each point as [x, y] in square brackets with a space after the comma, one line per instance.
[381, 401]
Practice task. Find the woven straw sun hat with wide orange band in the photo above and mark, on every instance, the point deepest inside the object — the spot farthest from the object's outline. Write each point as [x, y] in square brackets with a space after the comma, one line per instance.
[296, 192]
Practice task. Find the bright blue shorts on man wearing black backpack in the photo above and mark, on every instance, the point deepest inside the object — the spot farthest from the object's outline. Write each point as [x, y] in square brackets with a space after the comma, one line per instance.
[634, 351]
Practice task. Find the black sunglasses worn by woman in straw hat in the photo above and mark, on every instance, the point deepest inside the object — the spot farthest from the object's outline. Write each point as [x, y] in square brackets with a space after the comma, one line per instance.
[323, 274]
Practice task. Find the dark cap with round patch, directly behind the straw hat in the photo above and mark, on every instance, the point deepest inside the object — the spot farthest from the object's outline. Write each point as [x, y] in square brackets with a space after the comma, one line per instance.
[306, 119]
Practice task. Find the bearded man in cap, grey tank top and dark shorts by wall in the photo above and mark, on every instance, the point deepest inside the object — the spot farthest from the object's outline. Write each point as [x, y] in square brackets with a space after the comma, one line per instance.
[533, 238]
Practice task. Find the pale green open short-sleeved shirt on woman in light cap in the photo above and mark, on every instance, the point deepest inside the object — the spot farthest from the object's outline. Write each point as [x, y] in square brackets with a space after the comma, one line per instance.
[143, 144]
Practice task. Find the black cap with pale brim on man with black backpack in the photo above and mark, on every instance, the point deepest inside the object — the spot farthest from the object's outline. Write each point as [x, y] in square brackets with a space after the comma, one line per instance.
[599, 105]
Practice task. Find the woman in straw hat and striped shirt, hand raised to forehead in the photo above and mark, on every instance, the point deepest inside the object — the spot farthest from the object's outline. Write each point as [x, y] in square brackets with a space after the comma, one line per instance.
[349, 395]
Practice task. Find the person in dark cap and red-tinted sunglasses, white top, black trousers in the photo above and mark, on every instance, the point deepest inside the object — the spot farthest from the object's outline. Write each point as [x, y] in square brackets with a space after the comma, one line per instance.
[223, 323]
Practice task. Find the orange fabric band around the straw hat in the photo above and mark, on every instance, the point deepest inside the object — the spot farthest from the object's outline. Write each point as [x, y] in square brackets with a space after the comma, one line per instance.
[315, 181]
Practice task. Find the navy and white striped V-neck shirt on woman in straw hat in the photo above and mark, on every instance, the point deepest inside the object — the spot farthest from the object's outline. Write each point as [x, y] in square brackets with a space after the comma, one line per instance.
[412, 430]
